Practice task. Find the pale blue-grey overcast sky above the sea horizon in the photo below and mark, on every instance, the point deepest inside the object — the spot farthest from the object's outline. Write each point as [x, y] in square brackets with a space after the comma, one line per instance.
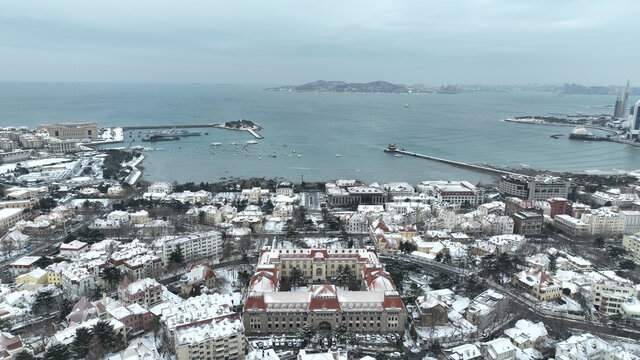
[289, 42]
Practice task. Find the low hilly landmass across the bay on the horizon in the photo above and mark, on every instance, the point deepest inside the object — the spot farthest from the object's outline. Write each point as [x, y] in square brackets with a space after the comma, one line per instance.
[345, 87]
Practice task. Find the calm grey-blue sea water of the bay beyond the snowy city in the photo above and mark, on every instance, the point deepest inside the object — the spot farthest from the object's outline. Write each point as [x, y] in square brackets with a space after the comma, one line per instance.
[465, 127]
